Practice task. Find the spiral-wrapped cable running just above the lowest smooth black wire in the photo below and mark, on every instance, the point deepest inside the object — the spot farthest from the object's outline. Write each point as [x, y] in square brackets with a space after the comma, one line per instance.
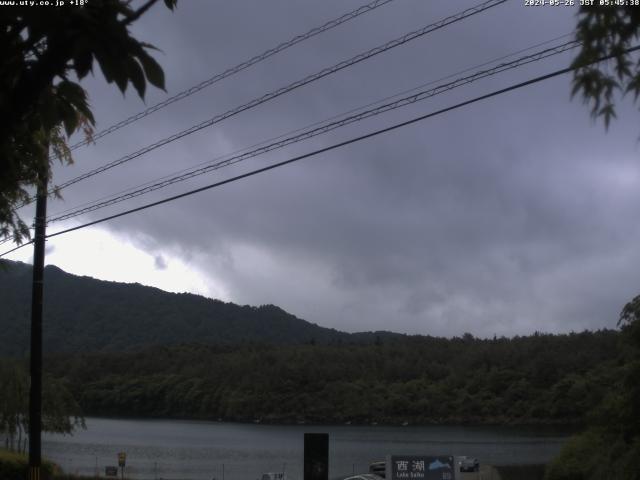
[402, 102]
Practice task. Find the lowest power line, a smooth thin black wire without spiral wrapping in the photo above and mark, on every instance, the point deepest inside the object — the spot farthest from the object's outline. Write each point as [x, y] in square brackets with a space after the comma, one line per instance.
[344, 143]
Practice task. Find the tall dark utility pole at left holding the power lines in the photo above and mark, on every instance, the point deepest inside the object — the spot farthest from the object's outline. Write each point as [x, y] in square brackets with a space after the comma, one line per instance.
[35, 393]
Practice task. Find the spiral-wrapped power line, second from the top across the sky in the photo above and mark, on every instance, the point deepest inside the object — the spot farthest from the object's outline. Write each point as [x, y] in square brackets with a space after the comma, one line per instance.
[292, 86]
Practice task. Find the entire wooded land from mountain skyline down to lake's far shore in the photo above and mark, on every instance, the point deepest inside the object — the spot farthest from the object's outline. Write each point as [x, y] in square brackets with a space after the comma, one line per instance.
[132, 350]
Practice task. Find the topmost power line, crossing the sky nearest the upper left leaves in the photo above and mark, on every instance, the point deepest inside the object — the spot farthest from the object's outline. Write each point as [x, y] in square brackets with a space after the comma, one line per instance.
[236, 69]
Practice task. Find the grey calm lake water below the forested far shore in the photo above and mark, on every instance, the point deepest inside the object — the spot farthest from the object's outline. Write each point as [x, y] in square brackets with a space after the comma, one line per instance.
[199, 450]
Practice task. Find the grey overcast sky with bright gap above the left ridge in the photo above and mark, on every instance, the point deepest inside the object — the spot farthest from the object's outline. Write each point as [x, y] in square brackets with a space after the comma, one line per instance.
[505, 217]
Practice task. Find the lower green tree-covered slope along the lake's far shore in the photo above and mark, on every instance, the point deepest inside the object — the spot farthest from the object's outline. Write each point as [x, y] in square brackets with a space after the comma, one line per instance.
[523, 380]
